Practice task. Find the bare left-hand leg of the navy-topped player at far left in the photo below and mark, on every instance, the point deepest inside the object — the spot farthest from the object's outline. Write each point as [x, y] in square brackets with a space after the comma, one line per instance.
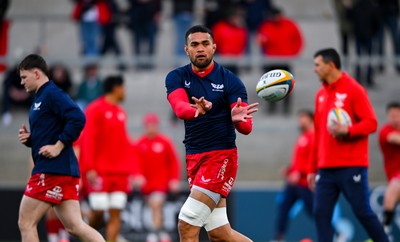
[30, 212]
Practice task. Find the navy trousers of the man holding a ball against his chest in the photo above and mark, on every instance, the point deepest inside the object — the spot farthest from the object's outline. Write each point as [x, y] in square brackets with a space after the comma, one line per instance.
[353, 183]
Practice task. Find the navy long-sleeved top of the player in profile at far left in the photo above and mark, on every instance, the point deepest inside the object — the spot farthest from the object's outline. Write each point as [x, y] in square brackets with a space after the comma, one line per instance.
[54, 116]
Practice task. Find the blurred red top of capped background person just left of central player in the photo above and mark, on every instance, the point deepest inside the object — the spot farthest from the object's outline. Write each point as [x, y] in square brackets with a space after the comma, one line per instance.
[158, 162]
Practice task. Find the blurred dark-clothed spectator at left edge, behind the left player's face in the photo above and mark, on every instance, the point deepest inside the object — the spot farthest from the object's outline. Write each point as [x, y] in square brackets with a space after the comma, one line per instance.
[14, 94]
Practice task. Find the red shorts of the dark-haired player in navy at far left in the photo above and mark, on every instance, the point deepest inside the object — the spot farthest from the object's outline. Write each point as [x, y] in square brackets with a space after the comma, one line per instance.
[52, 188]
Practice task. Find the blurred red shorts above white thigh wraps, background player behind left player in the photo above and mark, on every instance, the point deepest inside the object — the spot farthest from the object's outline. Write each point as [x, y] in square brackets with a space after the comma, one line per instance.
[110, 183]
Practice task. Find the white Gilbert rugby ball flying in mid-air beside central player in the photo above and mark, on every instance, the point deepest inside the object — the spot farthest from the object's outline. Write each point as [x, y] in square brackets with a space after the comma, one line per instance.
[275, 85]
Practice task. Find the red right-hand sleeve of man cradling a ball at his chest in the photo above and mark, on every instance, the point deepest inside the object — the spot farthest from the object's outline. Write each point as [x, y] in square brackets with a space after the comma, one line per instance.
[364, 112]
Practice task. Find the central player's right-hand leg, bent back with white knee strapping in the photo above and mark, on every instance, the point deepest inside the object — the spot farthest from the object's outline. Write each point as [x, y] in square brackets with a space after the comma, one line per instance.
[218, 226]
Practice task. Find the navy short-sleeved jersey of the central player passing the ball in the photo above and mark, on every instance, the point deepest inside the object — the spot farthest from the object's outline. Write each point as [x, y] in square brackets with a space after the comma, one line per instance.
[214, 130]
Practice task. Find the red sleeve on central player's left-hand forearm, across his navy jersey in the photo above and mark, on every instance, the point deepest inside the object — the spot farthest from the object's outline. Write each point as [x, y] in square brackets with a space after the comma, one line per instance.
[179, 102]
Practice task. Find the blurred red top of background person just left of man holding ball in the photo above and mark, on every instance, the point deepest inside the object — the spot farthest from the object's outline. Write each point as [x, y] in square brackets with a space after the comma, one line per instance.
[303, 156]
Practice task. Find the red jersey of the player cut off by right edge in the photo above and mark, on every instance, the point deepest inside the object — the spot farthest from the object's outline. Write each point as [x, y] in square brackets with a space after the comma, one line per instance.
[390, 152]
